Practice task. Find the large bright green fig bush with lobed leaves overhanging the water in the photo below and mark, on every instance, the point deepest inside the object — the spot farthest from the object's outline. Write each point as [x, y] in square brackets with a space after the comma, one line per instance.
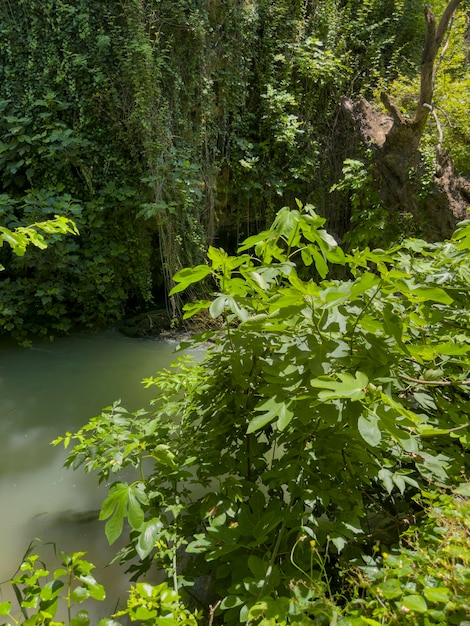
[300, 439]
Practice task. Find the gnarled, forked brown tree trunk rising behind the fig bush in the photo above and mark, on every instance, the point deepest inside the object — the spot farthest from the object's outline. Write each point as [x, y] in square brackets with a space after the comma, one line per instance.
[395, 142]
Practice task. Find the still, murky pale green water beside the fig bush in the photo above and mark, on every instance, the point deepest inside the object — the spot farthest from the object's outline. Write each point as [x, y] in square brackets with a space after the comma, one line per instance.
[45, 391]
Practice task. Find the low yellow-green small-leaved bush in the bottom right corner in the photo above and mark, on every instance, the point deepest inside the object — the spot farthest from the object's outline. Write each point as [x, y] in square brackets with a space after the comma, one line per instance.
[427, 580]
